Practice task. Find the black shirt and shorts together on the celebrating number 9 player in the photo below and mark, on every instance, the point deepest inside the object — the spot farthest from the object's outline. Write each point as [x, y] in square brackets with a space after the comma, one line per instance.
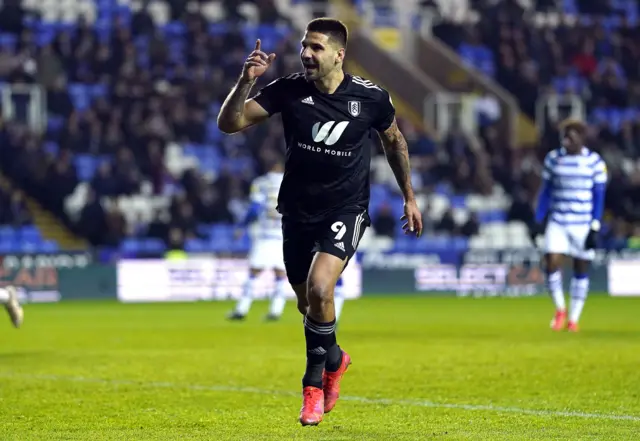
[325, 191]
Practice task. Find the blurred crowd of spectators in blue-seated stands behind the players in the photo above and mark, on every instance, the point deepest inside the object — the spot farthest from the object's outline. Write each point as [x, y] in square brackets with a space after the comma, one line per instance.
[129, 155]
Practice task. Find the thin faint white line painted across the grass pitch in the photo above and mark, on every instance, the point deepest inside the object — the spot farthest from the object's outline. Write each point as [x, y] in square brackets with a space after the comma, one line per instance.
[364, 400]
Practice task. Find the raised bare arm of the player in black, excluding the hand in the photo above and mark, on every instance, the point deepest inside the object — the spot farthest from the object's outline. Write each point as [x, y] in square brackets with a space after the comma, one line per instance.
[237, 112]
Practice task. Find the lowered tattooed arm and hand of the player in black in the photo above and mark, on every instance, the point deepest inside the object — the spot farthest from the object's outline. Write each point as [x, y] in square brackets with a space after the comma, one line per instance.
[397, 152]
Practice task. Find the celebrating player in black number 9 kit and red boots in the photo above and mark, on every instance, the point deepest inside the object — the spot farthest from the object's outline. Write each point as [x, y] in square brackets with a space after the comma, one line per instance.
[327, 116]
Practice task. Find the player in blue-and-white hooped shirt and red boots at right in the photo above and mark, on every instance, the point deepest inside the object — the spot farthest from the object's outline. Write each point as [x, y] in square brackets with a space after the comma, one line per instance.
[574, 181]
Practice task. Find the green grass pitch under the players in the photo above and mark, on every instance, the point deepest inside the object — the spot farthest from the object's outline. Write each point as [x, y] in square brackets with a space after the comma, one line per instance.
[424, 369]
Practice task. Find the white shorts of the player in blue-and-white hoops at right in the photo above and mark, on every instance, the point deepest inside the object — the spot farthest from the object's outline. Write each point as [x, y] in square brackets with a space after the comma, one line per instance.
[568, 240]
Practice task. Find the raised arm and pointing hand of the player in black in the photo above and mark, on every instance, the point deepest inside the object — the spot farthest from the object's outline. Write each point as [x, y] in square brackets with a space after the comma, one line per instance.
[238, 112]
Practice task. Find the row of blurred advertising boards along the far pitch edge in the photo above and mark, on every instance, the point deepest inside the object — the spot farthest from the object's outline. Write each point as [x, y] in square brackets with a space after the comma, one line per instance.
[72, 276]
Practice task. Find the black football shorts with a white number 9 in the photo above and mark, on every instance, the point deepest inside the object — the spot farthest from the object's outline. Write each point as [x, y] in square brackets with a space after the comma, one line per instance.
[338, 235]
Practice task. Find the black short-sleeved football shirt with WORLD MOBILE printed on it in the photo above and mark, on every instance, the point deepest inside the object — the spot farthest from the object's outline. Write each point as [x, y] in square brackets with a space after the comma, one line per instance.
[327, 136]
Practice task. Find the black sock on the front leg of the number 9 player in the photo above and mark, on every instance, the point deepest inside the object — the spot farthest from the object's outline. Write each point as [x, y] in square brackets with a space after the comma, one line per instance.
[320, 339]
